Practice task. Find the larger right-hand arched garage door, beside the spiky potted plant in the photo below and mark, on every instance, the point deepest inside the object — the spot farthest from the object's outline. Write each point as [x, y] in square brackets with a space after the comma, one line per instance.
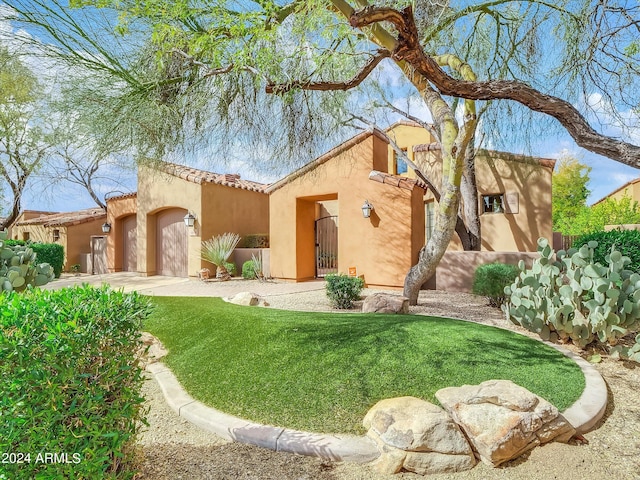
[171, 243]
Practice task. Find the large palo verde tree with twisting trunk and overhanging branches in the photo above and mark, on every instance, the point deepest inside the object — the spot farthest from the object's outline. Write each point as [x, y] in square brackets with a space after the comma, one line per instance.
[516, 56]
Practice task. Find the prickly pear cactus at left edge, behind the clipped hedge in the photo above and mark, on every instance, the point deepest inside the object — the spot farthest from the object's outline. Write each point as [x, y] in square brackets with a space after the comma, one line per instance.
[18, 269]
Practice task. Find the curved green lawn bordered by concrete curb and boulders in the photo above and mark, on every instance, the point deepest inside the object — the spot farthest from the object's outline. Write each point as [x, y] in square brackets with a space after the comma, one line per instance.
[323, 371]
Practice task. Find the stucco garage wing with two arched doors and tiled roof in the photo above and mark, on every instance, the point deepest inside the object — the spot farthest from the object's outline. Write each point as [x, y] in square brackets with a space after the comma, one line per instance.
[148, 230]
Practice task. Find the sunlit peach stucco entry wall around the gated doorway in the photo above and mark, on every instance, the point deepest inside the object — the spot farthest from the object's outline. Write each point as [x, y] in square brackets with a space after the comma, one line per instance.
[381, 248]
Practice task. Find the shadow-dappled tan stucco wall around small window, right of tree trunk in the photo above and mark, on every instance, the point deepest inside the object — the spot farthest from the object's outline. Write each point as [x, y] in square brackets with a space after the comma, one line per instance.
[507, 174]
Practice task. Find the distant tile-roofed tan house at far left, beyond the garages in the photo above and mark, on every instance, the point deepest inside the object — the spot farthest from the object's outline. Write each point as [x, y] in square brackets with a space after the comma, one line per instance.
[72, 230]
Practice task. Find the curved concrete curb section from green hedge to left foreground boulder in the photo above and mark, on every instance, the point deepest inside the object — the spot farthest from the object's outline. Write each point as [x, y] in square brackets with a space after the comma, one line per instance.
[331, 447]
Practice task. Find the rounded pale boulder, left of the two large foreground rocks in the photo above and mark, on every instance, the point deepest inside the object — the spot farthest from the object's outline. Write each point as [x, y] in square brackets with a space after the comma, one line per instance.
[417, 436]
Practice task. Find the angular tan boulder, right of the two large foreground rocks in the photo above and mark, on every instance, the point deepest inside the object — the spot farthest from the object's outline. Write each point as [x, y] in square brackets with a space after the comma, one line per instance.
[503, 420]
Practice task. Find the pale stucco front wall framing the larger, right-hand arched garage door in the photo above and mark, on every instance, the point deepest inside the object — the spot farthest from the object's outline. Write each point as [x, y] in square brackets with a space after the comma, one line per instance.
[159, 191]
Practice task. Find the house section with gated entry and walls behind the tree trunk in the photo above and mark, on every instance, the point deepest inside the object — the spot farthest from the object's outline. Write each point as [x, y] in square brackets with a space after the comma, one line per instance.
[514, 195]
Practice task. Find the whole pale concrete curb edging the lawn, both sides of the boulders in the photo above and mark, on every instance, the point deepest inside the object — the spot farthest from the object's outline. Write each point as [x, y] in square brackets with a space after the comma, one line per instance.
[583, 415]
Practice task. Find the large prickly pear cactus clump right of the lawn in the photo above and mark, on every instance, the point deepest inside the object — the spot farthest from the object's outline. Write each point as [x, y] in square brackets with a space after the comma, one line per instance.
[576, 298]
